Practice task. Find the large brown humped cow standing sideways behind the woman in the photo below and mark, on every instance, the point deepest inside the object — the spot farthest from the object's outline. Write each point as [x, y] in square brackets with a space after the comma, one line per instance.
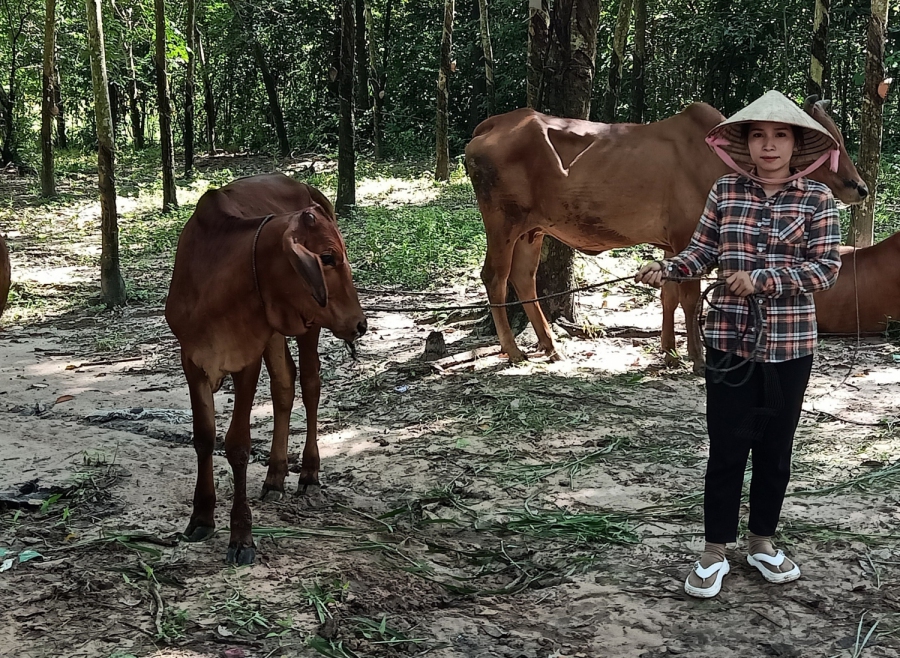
[595, 187]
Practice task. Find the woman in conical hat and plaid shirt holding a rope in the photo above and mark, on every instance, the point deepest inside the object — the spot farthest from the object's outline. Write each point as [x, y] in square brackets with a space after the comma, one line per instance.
[773, 234]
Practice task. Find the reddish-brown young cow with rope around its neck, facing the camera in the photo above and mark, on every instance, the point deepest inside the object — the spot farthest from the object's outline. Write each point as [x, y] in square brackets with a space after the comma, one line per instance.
[260, 259]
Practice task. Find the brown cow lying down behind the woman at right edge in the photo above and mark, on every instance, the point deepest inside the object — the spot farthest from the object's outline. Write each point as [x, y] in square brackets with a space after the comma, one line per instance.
[874, 272]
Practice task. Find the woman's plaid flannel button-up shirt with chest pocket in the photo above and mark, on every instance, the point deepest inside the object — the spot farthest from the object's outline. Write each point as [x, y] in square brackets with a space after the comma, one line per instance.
[789, 244]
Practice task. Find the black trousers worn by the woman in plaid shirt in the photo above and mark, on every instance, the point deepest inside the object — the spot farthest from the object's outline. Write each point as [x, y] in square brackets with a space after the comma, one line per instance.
[759, 415]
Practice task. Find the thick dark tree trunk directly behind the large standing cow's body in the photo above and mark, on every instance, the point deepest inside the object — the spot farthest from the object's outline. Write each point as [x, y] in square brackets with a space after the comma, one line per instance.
[568, 83]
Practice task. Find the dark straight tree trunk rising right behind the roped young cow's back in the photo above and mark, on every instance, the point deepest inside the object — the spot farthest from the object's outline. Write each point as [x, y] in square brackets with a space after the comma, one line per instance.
[346, 192]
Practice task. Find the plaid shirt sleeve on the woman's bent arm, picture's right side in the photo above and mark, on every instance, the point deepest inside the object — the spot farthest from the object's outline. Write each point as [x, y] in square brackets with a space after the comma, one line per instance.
[820, 269]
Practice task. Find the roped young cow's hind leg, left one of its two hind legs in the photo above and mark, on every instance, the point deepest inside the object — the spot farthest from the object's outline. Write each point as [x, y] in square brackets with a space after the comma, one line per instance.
[282, 378]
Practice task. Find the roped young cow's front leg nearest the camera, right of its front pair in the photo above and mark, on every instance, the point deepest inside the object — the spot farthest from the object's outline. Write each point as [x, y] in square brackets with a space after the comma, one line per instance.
[237, 449]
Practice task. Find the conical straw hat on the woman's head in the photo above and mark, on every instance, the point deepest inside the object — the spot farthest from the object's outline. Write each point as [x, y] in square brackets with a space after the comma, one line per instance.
[776, 107]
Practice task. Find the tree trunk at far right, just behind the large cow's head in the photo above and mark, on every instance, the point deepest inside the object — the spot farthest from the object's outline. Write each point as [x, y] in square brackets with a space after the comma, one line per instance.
[863, 215]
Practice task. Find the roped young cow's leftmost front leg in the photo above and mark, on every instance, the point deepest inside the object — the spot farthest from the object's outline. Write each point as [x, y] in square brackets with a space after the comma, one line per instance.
[202, 523]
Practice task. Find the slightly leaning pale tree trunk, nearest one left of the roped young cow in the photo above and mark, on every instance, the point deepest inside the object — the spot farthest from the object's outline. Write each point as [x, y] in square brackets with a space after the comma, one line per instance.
[112, 286]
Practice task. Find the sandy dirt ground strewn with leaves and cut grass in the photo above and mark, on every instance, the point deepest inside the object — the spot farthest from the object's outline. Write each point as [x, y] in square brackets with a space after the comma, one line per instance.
[542, 510]
